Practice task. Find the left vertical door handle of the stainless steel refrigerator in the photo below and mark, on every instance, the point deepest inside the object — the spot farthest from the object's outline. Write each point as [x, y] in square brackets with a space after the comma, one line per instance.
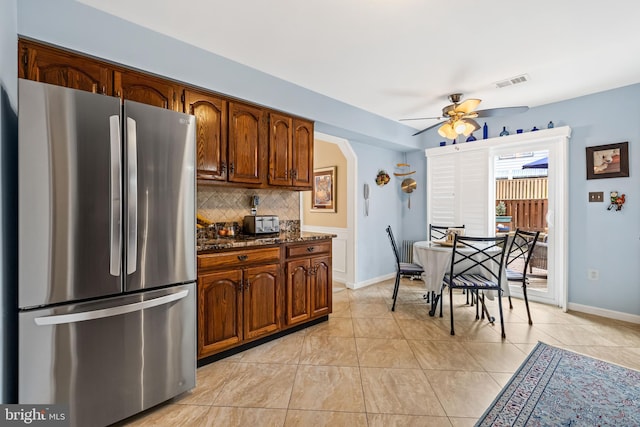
[115, 219]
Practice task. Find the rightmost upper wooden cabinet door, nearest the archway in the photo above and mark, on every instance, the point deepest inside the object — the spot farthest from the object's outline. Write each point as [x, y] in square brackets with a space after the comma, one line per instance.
[302, 158]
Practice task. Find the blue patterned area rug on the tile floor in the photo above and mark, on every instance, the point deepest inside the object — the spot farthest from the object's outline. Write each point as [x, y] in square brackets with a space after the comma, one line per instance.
[556, 387]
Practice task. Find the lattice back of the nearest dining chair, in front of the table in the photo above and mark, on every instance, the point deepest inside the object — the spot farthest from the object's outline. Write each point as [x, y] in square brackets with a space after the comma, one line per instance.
[484, 256]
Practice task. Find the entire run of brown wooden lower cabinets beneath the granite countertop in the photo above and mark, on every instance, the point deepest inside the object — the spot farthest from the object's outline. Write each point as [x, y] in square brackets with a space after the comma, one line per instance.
[243, 297]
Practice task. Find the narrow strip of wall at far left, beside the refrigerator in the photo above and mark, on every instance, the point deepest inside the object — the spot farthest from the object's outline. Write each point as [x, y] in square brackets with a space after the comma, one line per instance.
[8, 192]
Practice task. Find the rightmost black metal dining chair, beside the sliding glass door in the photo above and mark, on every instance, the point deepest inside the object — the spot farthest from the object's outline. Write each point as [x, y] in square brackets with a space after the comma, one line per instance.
[518, 258]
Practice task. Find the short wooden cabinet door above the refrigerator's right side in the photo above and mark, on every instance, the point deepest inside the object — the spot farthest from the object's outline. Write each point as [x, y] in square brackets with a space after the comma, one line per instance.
[139, 87]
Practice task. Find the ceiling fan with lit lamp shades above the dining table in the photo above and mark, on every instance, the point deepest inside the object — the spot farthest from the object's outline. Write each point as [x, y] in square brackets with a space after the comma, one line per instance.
[459, 116]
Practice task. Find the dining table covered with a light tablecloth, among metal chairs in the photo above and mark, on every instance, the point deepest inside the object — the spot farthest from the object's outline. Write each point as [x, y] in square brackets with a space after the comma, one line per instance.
[435, 259]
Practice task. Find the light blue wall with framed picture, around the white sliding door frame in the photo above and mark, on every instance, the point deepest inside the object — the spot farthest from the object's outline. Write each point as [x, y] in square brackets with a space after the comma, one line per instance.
[600, 239]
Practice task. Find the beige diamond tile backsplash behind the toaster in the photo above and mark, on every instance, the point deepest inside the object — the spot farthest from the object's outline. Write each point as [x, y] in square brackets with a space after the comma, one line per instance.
[223, 204]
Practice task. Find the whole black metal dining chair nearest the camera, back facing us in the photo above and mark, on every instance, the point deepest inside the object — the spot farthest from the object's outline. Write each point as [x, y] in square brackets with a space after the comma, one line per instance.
[477, 265]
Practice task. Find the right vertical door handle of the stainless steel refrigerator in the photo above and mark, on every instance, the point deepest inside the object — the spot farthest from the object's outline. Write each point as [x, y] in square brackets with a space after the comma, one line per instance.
[132, 197]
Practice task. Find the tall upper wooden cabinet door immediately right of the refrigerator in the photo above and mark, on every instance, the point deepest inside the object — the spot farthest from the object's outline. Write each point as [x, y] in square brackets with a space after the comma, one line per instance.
[211, 134]
